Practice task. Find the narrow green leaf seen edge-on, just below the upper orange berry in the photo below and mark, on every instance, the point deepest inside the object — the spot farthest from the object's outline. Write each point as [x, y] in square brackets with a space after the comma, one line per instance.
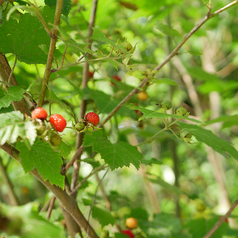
[148, 114]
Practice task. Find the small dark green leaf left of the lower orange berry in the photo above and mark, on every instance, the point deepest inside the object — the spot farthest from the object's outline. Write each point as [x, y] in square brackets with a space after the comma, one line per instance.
[103, 216]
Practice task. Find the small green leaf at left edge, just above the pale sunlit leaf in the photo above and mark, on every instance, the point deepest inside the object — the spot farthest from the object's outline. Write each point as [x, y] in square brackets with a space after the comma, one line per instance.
[14, 93]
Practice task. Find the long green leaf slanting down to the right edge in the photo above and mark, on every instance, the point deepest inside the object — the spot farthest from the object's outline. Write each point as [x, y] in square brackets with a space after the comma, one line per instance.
[207, 137]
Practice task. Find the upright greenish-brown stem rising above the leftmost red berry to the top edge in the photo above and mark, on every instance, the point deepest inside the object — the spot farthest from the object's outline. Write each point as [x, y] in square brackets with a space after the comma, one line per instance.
[50, 58]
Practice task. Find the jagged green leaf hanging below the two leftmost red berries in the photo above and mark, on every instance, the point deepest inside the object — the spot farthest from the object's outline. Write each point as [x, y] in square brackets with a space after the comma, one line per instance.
[44, 159]
